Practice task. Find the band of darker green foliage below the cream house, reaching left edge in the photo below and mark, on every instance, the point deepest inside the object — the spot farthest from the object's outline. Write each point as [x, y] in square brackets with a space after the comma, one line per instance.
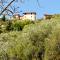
[16, 25]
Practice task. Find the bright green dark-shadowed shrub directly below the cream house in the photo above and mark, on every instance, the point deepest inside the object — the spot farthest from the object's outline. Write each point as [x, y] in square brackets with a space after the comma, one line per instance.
[19, 25]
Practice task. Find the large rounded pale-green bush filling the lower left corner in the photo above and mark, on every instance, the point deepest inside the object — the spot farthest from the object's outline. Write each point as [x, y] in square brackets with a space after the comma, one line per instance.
[15, 46]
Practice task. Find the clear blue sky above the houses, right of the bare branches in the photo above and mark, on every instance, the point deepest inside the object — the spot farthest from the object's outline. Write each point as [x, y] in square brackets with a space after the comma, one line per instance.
[46, 6]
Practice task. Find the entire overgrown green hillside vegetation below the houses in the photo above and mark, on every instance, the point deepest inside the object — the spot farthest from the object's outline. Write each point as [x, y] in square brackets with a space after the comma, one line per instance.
[27, 40]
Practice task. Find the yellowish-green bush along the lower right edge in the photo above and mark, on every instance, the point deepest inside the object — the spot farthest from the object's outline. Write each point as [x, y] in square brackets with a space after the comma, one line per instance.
[53, 44]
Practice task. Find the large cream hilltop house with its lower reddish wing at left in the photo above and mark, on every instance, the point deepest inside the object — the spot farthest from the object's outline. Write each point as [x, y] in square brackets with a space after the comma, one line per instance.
[26, 15]
